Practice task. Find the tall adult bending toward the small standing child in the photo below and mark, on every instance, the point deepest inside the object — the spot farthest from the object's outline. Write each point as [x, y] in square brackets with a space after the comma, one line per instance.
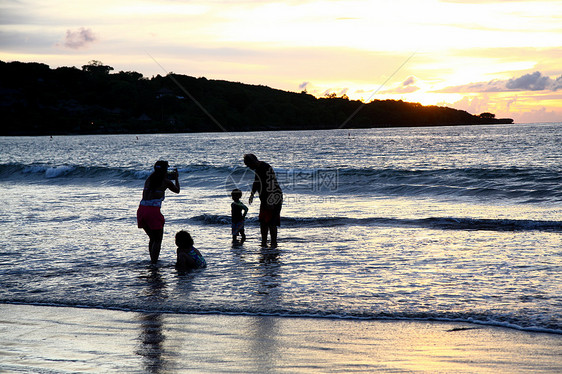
[271, 198]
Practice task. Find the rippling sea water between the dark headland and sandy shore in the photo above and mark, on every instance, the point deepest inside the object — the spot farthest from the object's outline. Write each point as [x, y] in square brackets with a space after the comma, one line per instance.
[439, 223]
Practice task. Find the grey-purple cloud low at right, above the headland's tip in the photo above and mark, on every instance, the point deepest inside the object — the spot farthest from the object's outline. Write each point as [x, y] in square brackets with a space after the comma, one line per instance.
[528, 82]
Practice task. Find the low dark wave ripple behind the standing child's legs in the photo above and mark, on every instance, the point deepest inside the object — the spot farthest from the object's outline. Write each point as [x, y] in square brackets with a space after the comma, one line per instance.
[440, 223]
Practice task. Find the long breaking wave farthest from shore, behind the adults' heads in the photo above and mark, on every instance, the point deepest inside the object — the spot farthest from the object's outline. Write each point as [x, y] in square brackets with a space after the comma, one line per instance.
[531, 185]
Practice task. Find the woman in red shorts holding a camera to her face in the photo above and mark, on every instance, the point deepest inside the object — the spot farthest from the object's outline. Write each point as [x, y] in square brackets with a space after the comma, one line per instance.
[149, 216]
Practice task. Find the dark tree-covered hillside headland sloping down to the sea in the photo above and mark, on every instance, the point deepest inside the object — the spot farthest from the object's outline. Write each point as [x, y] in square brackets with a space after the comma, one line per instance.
[35, 99]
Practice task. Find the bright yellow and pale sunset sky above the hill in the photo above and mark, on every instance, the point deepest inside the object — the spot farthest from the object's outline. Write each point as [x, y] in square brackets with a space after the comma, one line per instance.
[503, 57]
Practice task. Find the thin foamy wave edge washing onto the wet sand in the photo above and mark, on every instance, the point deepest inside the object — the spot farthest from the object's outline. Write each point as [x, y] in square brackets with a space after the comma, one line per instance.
[528, 325]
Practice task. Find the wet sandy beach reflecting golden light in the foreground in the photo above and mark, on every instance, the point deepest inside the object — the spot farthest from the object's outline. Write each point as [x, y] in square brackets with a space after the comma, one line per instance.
[62, 339]
